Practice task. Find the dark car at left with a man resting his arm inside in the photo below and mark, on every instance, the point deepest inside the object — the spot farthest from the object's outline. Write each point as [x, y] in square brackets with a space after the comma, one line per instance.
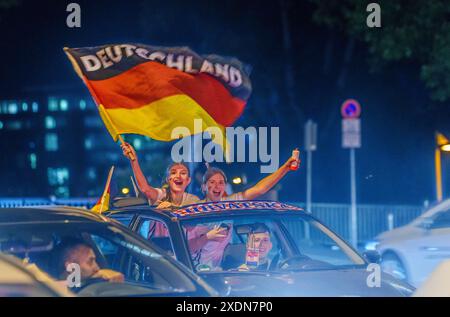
[33, 234]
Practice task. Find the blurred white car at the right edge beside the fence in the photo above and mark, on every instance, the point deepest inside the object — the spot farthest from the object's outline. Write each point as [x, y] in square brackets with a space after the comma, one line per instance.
[413, 251]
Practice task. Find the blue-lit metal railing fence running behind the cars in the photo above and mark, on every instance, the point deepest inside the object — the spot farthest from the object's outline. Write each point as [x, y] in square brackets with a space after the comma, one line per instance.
[371, 219]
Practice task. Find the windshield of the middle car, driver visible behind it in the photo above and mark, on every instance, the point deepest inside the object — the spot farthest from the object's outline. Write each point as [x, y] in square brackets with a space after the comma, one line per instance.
[270, 242]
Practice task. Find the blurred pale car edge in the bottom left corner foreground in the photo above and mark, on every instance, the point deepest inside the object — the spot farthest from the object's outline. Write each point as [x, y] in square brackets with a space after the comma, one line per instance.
[20, 280]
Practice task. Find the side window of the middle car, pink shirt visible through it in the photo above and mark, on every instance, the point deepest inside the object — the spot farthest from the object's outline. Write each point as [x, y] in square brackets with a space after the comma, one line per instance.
[157, 232]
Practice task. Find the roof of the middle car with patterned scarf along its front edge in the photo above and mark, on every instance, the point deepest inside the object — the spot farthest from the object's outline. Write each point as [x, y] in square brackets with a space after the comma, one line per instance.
[213, 208]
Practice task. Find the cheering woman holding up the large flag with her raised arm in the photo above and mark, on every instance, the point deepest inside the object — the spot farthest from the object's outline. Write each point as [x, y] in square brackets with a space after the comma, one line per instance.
[173, 192]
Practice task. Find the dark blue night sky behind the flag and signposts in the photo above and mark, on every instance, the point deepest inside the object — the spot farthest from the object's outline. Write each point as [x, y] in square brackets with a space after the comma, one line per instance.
[396, 161]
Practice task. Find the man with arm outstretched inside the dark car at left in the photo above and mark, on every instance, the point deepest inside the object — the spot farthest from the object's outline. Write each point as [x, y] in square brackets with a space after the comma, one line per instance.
[74, 251]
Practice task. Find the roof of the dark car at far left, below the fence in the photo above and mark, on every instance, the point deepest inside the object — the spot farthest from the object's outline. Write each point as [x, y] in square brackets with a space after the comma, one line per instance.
[47, 214]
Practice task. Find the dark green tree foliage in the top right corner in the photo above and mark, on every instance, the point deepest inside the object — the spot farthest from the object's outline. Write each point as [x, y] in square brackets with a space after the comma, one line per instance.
[411, 31]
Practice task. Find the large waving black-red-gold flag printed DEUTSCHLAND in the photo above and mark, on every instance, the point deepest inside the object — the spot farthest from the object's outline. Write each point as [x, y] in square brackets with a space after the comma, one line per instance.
[150, 90]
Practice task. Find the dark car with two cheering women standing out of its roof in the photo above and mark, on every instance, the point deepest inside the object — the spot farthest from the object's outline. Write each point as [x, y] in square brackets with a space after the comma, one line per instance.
[305, 257]
